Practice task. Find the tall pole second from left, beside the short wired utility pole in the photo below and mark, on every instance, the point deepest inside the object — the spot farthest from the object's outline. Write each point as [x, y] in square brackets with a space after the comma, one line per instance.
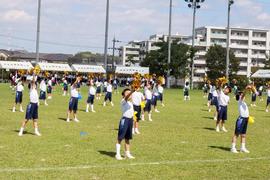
[106, 36]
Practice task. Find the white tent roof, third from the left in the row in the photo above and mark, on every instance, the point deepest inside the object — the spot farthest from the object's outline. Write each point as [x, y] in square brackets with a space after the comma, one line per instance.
[88, 68]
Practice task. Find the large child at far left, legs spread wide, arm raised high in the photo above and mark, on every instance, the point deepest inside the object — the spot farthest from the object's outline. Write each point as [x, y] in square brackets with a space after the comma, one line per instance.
[32, 110]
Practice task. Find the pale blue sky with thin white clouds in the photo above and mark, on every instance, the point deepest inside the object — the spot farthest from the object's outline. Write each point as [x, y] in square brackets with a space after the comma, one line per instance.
[70, 26]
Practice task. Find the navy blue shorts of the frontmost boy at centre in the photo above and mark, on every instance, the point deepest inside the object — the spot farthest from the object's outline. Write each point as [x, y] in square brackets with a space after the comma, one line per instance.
[125, 129]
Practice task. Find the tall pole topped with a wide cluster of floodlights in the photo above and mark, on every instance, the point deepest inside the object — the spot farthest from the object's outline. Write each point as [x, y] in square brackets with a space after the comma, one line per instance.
[194, 4]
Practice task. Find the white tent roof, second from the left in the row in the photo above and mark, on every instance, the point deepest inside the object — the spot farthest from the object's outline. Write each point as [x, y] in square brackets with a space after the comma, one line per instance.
[54, 67]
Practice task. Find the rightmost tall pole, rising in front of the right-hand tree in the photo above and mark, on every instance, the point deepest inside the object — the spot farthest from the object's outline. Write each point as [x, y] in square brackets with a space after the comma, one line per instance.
[230, 2]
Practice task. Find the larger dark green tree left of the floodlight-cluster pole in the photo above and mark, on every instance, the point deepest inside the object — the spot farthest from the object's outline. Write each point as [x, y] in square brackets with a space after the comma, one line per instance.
[157, 60]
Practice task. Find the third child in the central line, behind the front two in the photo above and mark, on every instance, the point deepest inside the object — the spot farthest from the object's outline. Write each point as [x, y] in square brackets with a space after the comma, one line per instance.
[148, 97]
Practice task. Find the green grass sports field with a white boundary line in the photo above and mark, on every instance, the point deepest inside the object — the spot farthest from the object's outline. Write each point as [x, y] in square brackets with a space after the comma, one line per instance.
[180, 143]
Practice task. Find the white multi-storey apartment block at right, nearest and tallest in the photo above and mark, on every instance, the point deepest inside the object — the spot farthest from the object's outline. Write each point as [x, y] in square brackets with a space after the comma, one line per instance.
[249, 45]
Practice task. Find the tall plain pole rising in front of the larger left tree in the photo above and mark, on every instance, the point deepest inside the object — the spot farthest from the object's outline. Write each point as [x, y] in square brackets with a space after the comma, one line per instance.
[169, 45]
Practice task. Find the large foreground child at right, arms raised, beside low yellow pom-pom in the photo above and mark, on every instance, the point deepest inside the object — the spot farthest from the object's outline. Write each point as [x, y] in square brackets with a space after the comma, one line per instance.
[241, 124]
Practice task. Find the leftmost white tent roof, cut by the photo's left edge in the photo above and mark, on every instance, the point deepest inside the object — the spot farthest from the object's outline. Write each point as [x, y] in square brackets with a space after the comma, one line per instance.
[15, 65]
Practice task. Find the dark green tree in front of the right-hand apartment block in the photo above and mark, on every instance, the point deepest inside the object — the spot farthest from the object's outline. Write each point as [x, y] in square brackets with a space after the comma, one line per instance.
[216, 62]
